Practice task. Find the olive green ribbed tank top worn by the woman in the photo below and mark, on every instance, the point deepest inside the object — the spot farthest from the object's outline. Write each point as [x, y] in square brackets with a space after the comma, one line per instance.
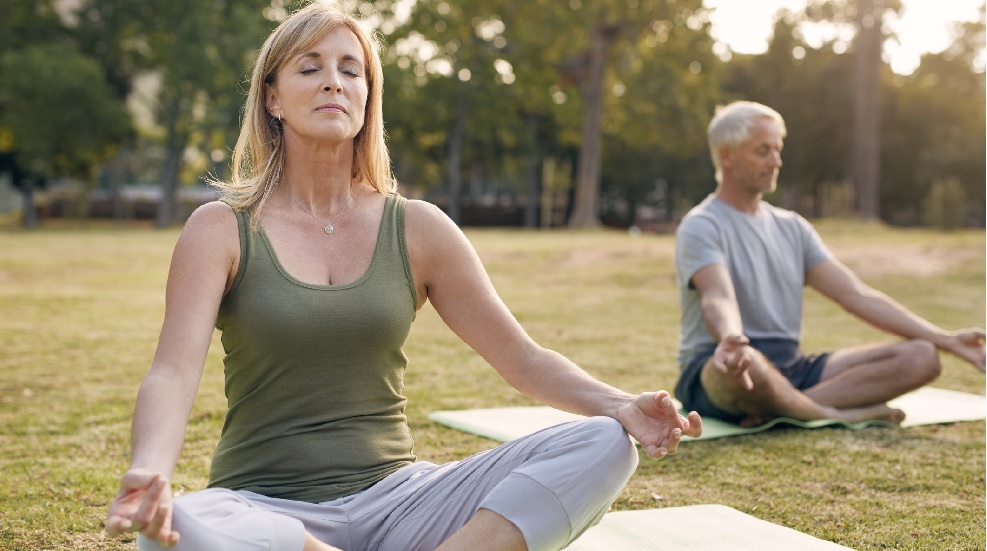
[315, 373]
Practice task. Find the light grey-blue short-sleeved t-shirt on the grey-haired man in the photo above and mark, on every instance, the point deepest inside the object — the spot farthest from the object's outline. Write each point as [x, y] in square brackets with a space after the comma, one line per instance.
[767, 254]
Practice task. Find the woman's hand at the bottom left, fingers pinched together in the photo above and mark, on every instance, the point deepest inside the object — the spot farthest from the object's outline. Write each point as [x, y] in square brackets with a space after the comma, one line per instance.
[144, 505]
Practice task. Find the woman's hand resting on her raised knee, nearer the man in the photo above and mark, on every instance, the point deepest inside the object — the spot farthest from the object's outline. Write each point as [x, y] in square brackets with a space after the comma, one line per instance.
[653, 420]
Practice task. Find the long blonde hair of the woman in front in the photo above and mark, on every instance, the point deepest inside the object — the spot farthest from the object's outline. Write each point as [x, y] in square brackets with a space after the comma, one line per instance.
[258, 158]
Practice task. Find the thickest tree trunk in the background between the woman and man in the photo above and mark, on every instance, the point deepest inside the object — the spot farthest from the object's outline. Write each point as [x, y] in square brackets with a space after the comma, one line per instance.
[584, 214]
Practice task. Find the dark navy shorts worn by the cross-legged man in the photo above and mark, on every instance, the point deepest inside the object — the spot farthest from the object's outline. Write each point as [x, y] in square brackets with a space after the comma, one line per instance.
[801, 370]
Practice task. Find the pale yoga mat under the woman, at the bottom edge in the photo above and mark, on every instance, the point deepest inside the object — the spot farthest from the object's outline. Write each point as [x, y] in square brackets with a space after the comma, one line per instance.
[694, 528]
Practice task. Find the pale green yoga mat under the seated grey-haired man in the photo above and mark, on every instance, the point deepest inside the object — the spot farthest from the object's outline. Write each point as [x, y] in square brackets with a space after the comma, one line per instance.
[925, 406]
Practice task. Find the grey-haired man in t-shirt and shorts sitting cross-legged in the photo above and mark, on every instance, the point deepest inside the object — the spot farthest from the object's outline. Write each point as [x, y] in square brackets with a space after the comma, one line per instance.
[742, 265]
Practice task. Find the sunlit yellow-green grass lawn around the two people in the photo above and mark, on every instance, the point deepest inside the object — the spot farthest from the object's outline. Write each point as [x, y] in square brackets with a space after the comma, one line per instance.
[80, 309]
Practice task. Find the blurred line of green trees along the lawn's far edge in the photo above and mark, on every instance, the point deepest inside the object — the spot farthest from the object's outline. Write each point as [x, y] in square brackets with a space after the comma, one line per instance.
[538, 113]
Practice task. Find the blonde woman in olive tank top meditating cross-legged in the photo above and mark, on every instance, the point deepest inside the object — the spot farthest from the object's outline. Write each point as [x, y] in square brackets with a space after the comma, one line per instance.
[313, 268]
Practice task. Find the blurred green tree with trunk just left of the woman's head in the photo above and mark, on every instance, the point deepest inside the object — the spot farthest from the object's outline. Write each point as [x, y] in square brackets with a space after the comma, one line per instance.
[201, 51]
